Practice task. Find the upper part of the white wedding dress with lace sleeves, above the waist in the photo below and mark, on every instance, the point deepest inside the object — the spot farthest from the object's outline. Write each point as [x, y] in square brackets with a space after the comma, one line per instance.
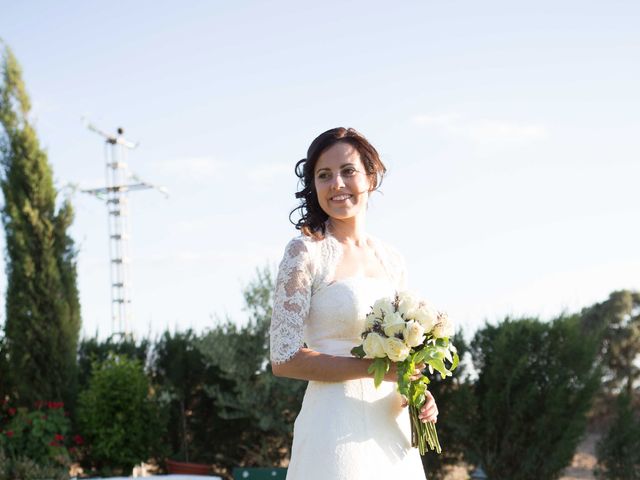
[310, 306]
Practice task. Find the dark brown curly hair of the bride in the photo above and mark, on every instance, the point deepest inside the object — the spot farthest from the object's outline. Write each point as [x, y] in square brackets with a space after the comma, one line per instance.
[312, 217]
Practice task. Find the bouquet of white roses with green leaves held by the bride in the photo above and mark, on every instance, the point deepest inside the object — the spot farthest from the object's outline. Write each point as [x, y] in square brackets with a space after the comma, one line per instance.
[409, 332]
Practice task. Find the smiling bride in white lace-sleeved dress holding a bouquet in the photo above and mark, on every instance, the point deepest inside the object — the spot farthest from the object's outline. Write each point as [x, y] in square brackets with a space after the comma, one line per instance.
[328, 279]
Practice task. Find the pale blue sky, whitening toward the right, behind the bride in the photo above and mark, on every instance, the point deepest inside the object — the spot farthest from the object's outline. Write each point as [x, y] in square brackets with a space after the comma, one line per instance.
[511, 134]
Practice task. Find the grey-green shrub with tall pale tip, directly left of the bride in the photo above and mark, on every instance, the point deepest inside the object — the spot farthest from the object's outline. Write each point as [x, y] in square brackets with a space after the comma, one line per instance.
[256, 409]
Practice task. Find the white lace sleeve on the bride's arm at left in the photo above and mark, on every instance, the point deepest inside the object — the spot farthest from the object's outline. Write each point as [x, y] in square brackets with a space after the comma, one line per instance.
[291, 301]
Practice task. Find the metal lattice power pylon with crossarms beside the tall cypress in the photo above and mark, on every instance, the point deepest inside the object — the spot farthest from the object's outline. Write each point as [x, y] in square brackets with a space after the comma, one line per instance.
[115, 195]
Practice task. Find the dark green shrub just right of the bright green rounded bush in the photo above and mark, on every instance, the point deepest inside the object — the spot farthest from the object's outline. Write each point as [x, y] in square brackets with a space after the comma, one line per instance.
[180, 373]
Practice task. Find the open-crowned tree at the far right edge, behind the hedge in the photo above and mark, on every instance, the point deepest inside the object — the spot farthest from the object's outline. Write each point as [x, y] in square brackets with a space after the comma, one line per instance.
[617, 320]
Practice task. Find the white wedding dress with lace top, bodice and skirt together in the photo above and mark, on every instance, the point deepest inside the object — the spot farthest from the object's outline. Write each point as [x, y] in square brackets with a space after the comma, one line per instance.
[345, 430]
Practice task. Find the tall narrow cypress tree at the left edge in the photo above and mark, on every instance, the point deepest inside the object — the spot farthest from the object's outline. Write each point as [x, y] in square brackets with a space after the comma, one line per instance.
[42, 307]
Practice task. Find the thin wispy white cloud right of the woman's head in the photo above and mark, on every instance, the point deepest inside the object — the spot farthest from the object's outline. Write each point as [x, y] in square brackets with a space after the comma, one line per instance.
[483, 130]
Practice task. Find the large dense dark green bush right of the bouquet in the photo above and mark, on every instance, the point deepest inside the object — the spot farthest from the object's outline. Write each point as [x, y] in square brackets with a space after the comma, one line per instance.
[527, 409]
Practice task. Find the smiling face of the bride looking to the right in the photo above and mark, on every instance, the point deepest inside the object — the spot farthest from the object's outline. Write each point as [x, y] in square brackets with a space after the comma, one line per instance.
[341, 182]
